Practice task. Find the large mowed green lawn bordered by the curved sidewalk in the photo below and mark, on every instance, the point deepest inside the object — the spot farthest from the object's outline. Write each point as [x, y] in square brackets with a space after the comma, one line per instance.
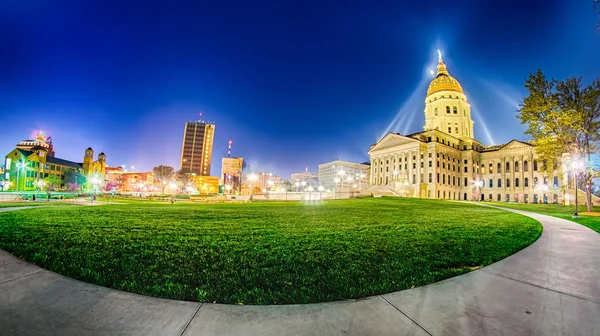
[266, 253]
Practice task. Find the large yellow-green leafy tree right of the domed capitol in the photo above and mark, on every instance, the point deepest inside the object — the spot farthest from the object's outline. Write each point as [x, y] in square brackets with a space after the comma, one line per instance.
[563, 118]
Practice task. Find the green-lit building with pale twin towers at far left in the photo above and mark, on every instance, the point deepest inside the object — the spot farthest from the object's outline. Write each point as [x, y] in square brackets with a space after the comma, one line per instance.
[29, 164]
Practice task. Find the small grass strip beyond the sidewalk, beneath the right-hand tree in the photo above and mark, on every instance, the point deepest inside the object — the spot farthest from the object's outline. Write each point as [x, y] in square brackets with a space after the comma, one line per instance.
[557, 210]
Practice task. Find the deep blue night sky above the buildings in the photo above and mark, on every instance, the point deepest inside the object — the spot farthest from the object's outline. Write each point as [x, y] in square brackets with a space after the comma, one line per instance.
[293, 84]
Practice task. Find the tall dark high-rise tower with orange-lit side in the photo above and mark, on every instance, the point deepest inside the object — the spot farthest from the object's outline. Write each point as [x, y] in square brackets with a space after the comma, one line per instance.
[196, 150]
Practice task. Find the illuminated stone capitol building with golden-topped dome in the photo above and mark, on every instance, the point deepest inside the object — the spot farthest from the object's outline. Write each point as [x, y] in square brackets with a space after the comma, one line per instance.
[446, 162]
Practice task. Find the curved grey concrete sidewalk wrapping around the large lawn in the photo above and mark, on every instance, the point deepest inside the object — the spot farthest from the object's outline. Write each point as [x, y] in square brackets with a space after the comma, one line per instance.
[550, 288]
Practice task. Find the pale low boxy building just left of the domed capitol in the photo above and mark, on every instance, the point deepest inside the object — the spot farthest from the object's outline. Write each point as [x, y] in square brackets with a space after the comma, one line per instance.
[344, 175]
